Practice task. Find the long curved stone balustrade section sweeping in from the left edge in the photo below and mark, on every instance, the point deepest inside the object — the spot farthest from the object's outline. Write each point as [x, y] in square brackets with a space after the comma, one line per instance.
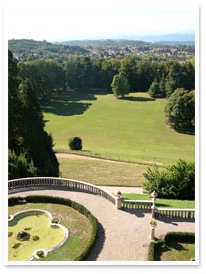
[50, 182]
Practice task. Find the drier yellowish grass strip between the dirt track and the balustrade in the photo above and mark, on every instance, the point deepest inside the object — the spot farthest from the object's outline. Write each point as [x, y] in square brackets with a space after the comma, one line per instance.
[99, 172]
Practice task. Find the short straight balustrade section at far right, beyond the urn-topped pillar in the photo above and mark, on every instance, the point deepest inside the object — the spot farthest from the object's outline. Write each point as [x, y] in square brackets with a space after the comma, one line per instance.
[175, 213]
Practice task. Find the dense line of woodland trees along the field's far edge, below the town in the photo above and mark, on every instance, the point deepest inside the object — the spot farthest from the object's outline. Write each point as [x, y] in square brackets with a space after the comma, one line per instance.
[84, 73]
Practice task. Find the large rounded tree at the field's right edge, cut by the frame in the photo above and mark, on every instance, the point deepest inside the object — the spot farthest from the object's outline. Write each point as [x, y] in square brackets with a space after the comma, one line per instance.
[180, 110]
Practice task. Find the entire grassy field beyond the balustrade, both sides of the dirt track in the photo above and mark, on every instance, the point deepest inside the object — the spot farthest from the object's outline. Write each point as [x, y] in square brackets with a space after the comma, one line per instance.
[130, 130]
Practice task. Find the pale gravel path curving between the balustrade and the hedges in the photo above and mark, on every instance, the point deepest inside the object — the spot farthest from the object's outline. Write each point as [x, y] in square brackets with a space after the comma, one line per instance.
[124, 235]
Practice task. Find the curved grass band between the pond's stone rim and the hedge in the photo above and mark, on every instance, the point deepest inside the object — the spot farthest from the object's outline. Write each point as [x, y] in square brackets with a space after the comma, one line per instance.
[78, 225]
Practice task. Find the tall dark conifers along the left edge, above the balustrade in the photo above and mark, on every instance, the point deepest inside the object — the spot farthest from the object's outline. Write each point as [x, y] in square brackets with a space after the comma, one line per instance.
[27, 137]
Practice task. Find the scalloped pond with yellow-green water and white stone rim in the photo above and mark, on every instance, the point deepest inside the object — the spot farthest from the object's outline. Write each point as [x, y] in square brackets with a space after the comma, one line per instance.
[31, 231]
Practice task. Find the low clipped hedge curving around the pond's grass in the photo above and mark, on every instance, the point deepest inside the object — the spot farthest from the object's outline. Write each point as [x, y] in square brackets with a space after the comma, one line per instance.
[58, 200]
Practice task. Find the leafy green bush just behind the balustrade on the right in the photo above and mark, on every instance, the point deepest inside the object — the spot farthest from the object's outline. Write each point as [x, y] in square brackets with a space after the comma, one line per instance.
[175, 182]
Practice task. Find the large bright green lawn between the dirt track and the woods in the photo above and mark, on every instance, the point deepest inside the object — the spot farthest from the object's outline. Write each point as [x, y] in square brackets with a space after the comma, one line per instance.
[132, 129]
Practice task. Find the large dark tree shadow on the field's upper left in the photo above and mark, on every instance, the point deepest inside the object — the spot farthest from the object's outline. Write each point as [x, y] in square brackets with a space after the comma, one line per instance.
[69, 105]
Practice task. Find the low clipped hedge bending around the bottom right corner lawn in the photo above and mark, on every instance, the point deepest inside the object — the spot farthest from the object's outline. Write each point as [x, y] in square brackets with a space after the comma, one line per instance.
[182, 237]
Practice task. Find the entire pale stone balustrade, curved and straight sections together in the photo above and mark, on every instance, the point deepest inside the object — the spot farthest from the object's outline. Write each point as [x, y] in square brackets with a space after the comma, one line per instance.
[68, 184]
